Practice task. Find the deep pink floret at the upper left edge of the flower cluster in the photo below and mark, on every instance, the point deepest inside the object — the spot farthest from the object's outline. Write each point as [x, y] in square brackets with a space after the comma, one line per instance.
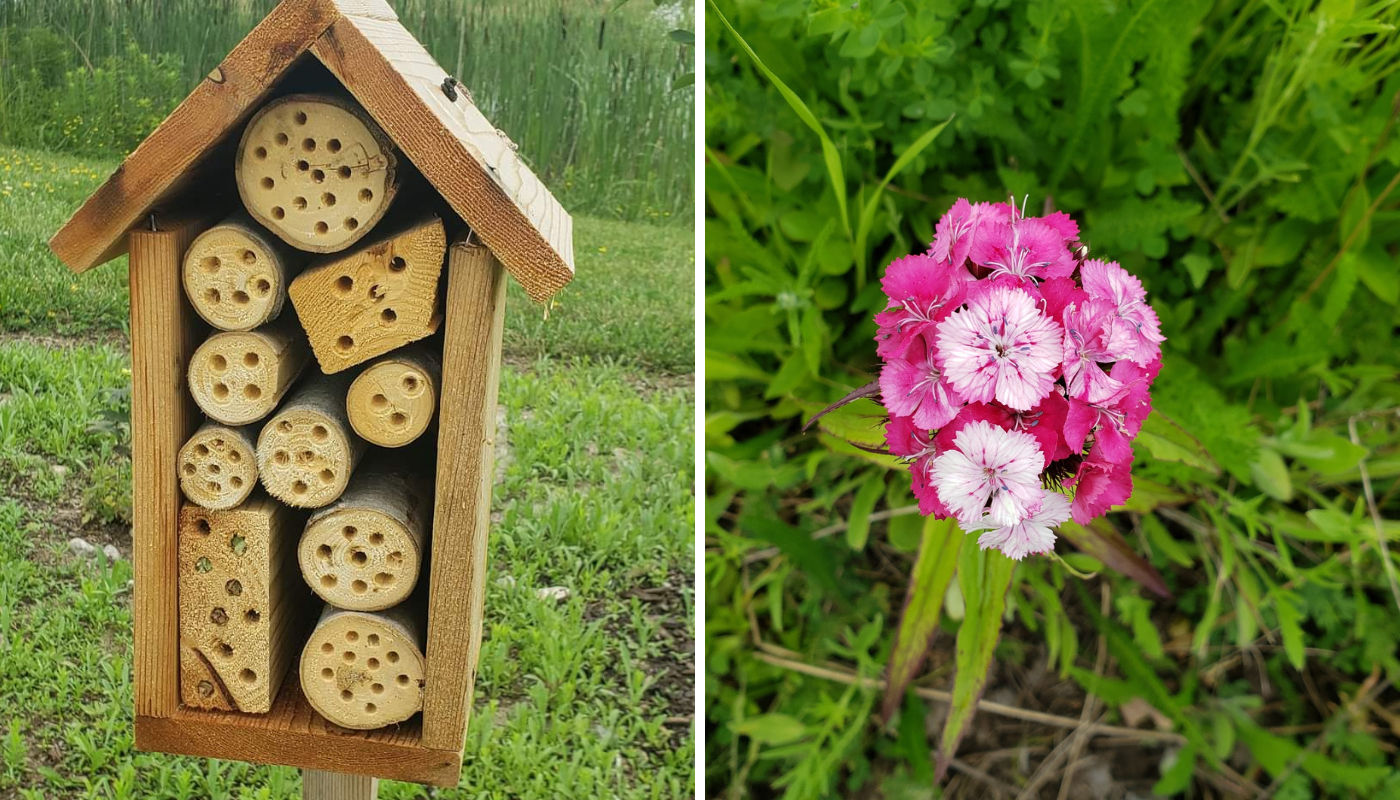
[922, 292]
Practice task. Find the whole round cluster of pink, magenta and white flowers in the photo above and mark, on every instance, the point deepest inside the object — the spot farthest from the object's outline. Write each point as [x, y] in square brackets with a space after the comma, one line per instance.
[1017, 373]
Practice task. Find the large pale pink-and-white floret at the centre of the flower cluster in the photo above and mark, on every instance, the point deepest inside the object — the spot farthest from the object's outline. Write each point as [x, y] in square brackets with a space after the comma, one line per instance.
[1000, 348]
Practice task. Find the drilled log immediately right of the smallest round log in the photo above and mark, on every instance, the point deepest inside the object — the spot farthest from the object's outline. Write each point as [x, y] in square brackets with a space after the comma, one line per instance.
[306, 452]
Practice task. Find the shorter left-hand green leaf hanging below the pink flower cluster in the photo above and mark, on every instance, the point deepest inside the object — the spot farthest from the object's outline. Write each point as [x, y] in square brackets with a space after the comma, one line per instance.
[923, 606]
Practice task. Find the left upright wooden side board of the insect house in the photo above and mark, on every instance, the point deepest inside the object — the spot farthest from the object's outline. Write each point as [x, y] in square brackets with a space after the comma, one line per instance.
[164, 334]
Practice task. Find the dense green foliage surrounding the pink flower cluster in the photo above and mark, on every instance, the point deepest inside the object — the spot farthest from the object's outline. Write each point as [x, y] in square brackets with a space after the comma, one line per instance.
[1238, 156]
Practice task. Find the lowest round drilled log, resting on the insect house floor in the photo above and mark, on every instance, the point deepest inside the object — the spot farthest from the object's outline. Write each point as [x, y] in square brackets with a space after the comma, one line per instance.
[365, 669]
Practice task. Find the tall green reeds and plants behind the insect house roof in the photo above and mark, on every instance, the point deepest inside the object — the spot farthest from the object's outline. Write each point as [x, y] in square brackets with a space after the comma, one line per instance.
[596, 99]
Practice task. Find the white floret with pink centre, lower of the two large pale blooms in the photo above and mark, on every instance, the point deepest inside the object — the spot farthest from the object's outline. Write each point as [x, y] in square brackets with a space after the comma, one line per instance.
[990, 464]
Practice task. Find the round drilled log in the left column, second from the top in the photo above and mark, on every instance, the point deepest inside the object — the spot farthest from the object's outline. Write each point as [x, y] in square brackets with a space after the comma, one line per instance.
[239, 376]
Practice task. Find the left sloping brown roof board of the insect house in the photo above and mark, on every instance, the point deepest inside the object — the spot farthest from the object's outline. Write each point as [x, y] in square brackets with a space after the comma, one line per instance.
[220, 103]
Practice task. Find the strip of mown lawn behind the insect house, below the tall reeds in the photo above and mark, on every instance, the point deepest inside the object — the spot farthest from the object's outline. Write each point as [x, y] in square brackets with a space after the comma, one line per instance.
[631, 302]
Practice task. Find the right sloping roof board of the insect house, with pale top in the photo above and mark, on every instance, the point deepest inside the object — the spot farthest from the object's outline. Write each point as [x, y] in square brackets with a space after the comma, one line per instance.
[471, 163]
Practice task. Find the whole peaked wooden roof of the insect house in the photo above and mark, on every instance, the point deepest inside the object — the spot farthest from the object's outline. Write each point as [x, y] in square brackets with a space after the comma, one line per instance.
[471, 163]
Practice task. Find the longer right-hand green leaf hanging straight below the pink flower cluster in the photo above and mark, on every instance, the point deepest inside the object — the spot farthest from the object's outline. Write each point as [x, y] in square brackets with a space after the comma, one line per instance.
[985, 578]
